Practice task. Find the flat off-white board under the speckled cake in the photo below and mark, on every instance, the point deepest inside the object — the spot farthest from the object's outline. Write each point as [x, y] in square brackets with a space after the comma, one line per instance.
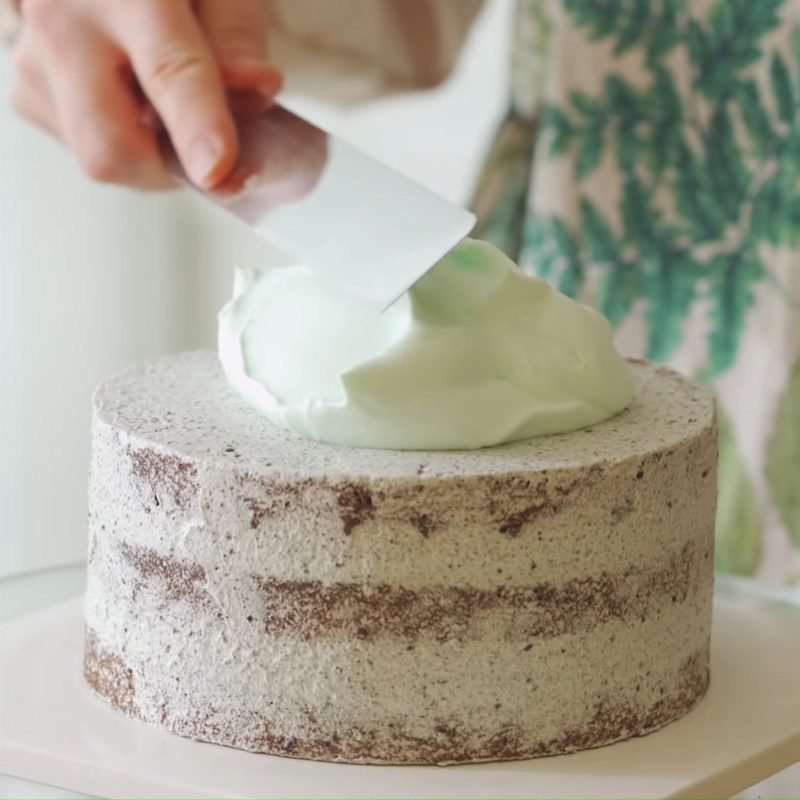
[746, 729]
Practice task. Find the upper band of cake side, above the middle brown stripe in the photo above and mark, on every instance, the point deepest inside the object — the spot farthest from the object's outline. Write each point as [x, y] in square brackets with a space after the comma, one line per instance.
[533, 528]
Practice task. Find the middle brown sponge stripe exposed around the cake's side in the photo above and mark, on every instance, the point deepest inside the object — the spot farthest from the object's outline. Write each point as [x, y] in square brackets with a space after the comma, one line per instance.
[309, 609]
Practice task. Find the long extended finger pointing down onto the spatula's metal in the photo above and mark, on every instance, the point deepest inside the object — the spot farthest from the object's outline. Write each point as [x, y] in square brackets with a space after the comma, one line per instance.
[180, 76]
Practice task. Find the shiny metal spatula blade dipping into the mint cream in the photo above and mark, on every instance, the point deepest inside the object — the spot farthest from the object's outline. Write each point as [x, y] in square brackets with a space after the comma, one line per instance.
[353, 220]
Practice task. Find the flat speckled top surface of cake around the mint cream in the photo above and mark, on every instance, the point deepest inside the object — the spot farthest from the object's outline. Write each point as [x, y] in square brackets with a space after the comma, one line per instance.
[182, 404]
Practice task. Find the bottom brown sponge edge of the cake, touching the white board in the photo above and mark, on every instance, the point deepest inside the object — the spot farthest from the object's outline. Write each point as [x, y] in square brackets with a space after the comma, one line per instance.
[610, 720]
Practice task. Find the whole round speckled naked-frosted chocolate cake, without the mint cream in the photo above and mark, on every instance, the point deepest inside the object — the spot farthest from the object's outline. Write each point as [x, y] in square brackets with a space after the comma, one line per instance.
[254, 589]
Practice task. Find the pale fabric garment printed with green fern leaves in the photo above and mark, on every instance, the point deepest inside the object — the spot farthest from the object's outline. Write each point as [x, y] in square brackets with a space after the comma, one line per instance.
[650, 165]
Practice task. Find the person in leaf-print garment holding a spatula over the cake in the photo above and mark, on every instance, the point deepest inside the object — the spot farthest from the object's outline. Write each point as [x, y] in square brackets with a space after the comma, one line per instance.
[649, 164]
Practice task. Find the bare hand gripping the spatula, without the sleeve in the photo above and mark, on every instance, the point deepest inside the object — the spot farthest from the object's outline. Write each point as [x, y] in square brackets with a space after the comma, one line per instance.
[93, 72]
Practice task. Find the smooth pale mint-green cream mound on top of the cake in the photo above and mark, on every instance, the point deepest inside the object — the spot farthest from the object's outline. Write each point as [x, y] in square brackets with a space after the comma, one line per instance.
[476, 354]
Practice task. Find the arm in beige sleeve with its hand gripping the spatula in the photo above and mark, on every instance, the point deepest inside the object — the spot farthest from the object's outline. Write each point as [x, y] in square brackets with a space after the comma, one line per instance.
[97, 73]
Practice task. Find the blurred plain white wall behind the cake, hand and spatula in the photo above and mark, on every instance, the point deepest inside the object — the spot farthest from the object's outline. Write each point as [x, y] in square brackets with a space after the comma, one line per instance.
[94, 278]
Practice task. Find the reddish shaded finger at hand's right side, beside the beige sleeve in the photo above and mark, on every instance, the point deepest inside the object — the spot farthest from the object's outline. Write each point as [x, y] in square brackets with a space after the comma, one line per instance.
[237, 33]
